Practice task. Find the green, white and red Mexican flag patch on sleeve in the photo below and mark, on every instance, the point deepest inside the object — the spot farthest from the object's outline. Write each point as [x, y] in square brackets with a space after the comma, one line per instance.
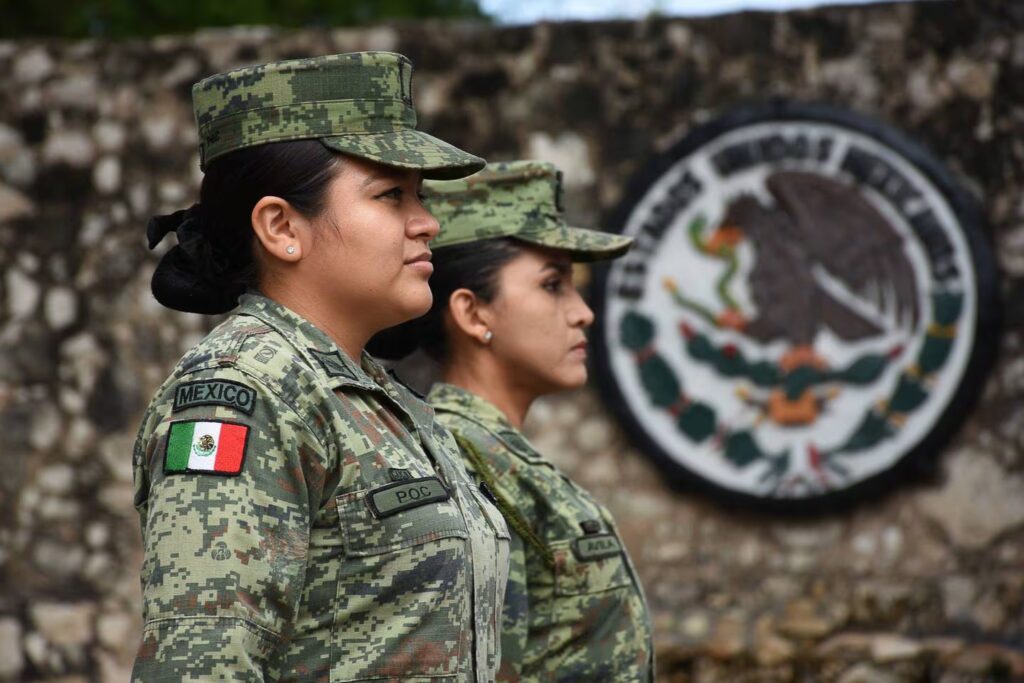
[214, 448]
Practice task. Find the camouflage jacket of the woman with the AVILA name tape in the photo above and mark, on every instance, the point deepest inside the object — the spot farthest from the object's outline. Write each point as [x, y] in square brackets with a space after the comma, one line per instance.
[575, 619]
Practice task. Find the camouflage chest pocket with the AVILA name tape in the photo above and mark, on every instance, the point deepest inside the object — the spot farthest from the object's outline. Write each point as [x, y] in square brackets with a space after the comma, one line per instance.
[592, 564]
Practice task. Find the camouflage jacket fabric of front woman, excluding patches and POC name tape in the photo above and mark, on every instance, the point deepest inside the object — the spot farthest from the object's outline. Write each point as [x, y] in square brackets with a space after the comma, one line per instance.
[284, 573]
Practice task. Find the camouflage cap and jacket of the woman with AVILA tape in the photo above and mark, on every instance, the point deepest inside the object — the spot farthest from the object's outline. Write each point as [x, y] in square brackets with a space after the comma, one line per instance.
[575, 610]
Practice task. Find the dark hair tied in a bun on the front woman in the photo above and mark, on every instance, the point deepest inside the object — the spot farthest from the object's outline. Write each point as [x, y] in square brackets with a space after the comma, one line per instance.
[215, 261]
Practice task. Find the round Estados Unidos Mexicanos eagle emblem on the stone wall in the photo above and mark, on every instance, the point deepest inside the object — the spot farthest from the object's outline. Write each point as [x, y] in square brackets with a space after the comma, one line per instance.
[809, 307]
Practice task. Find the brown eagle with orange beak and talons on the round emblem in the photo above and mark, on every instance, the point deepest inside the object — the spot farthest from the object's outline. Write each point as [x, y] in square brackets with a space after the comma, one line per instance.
[825, 259]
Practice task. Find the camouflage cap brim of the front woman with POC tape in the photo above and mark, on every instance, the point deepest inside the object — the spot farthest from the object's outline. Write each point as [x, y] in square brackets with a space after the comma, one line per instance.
[410, 149]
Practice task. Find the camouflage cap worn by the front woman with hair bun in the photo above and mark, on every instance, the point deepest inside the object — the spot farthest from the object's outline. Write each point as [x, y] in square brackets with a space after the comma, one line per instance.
[360, 104]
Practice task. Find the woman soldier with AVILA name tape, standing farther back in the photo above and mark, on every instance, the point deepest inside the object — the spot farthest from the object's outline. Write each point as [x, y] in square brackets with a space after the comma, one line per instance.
[507, 326]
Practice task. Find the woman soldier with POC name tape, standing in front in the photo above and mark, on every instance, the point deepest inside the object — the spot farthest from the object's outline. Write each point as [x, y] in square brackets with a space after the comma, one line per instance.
[305, 518]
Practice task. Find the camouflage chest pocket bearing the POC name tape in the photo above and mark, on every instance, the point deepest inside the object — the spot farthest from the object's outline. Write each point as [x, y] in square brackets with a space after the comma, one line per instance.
[403, 597]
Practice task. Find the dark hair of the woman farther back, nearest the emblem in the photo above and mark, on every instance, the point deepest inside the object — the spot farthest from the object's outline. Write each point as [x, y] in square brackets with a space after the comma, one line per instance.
[474, 267]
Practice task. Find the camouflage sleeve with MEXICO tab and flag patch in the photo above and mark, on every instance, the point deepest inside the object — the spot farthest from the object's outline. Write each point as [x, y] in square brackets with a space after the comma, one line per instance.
[231, 488]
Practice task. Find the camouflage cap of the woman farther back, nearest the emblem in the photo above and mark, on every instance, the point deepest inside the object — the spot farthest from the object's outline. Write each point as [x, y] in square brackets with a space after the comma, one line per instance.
[521, 200]
